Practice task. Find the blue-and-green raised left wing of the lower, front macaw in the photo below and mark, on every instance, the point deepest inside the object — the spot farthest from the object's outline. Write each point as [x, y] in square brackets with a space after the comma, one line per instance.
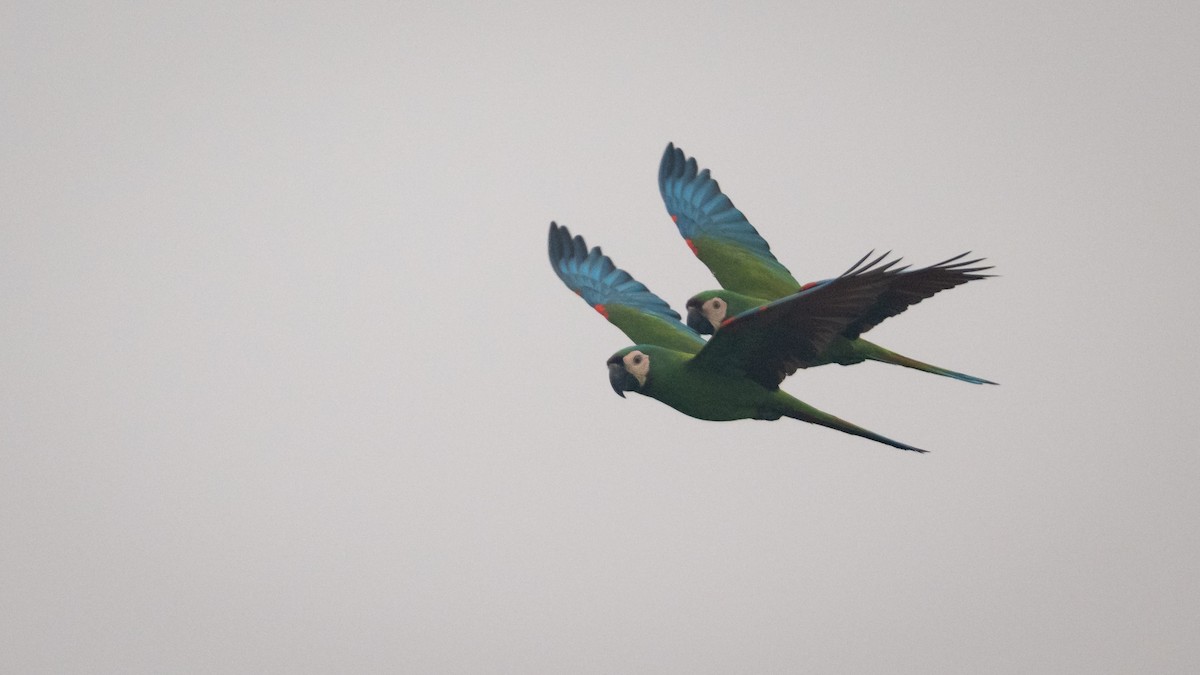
[623, 301]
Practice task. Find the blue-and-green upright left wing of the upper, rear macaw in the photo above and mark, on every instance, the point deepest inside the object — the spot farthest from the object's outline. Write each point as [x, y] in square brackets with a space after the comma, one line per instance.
[718, 232]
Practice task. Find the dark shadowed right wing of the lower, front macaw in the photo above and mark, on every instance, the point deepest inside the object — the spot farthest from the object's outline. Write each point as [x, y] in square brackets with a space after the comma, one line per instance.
[767, 344]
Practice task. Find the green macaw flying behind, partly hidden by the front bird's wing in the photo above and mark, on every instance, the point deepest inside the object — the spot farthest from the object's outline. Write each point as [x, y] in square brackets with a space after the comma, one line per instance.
[741, 260]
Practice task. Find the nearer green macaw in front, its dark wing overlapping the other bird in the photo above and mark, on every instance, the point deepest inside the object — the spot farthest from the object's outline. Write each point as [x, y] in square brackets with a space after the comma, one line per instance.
[736, 374]
